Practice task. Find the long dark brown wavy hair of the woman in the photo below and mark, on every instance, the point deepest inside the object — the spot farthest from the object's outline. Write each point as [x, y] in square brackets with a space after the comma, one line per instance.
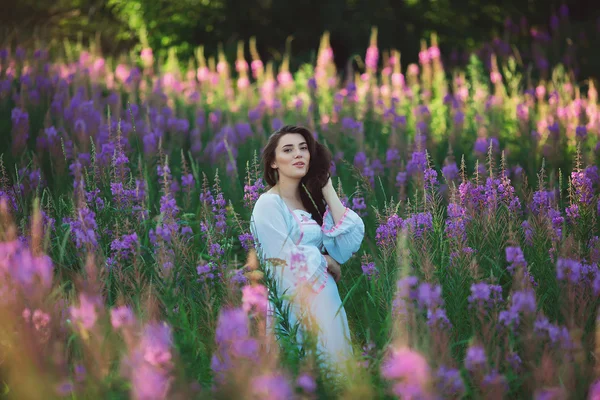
[318, 170]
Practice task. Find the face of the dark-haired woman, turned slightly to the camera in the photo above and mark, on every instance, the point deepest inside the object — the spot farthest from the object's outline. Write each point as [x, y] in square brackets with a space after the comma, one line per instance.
[292, 157]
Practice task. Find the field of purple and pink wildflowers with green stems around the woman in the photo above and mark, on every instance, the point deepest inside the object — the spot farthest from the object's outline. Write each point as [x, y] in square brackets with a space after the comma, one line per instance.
[127, 268]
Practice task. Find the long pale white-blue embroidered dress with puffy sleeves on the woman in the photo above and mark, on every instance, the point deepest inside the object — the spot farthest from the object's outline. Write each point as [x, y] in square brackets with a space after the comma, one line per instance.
[296, 238]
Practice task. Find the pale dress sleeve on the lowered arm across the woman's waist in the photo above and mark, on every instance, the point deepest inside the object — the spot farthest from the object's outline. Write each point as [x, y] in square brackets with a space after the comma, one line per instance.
[292, 263]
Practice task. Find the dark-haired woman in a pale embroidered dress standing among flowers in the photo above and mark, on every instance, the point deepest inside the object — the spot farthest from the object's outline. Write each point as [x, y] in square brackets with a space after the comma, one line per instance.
[294, 223]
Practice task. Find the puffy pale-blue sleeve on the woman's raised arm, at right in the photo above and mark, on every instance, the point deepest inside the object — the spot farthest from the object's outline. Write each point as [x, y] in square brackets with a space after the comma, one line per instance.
[344, 238]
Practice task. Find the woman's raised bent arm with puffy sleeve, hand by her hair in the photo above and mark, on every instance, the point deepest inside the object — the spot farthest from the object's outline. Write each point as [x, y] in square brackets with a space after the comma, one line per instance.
[343, 229]
